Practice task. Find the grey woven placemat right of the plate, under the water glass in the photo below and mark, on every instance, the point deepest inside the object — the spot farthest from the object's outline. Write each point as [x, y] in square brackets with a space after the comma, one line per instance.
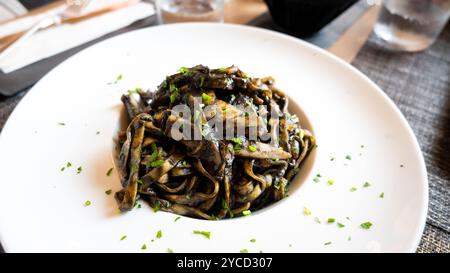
[419, 84]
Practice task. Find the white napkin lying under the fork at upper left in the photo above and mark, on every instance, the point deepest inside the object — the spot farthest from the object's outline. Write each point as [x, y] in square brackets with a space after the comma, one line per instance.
[55, 40]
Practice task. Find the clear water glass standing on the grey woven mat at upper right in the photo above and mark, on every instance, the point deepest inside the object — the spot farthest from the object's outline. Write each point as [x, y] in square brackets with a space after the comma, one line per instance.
[412, 25]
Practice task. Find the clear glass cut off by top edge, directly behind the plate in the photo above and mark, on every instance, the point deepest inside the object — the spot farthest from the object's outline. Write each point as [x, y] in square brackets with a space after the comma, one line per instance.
[176, 11]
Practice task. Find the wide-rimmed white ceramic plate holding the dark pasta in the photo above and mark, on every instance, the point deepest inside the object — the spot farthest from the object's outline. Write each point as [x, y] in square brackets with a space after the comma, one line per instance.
[42, 208]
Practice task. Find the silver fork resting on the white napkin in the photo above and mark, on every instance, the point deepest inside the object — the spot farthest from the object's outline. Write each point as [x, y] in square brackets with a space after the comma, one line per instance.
[73, 9]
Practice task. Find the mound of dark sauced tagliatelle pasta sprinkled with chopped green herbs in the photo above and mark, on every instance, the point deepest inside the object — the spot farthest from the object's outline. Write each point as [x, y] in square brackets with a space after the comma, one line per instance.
[210, 144]
